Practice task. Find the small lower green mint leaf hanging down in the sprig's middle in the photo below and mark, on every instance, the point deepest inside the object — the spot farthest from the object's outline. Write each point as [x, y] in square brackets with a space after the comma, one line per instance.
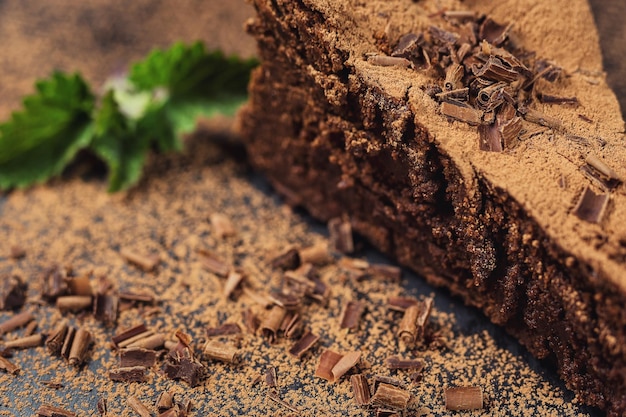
[118, 144]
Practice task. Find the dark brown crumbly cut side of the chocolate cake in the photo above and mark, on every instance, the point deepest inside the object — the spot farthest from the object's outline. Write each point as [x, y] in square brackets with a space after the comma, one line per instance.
[321, 134]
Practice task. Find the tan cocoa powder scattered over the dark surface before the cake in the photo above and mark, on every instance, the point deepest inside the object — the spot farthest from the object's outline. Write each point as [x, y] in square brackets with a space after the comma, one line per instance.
[74, 222]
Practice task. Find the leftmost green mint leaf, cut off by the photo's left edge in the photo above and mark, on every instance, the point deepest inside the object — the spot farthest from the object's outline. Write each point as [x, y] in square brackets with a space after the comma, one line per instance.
[39, 141]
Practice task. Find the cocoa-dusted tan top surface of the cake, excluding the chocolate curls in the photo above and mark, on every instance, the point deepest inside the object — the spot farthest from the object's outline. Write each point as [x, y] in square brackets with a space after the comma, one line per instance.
[567, 164]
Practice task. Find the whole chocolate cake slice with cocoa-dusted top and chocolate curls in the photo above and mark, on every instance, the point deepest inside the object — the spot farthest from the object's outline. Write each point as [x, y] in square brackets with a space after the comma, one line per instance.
[475, 142]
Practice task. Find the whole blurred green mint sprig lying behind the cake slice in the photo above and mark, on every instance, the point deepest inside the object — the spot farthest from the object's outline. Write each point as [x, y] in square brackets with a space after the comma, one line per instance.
[160, 100]
